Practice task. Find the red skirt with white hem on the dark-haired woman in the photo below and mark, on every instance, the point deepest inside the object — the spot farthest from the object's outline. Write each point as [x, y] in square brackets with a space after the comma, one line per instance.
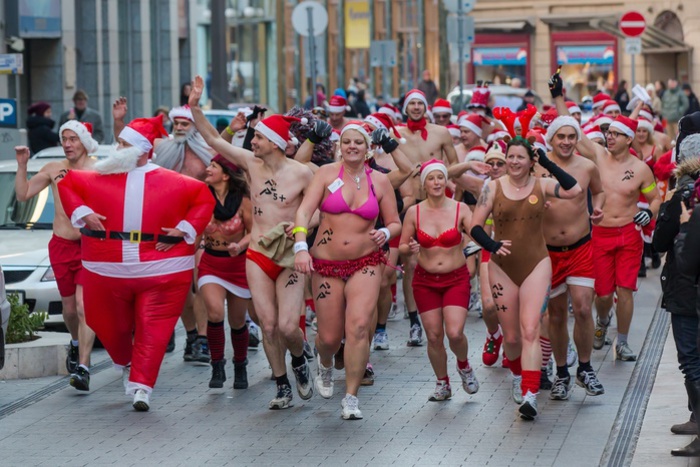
[218, 267]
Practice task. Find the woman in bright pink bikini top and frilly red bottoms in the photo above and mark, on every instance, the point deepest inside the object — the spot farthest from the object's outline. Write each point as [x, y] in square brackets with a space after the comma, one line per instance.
[347, 257]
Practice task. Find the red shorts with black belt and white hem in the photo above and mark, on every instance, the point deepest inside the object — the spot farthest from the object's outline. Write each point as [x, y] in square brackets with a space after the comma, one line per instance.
[571, 265]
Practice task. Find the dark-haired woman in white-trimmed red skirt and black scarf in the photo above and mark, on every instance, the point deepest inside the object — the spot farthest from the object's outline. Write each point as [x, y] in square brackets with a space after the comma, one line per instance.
[221, 272]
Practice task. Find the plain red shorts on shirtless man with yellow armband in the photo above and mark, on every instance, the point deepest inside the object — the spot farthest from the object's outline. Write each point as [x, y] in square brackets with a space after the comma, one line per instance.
[617, 256]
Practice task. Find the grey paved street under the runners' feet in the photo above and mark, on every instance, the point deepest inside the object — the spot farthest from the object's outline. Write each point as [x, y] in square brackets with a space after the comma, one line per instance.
[190, 424]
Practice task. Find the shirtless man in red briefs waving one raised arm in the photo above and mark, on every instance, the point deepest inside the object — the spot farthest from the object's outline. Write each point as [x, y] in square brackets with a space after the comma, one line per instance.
[277, 186]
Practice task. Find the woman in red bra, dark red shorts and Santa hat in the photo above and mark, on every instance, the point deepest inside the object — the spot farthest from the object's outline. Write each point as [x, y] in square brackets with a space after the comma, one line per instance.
[433, 229]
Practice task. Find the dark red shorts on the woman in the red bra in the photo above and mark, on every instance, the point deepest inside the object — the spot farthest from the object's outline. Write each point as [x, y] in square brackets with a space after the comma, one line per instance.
[433, 291]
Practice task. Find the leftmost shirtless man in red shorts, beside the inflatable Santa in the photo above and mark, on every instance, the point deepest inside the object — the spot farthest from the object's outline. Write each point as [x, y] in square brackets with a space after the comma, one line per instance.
[64, 247]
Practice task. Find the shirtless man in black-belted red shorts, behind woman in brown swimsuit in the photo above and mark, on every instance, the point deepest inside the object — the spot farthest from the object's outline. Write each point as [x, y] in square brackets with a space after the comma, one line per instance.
[567, 232]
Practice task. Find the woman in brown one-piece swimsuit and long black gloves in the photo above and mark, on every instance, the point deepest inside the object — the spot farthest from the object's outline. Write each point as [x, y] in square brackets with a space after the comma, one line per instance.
[520, 272]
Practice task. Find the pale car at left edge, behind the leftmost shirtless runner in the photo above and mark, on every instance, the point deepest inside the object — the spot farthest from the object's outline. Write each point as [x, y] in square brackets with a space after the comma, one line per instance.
[25, 231]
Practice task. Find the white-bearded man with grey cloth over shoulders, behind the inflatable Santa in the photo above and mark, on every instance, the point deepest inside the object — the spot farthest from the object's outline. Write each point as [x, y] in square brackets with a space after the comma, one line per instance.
[188, 154]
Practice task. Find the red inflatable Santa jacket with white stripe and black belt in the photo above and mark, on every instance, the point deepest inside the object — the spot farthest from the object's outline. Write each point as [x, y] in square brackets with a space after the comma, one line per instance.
[144, 200]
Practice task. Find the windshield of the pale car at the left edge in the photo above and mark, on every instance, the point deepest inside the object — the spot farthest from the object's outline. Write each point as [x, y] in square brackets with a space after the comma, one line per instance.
[36, 213]
